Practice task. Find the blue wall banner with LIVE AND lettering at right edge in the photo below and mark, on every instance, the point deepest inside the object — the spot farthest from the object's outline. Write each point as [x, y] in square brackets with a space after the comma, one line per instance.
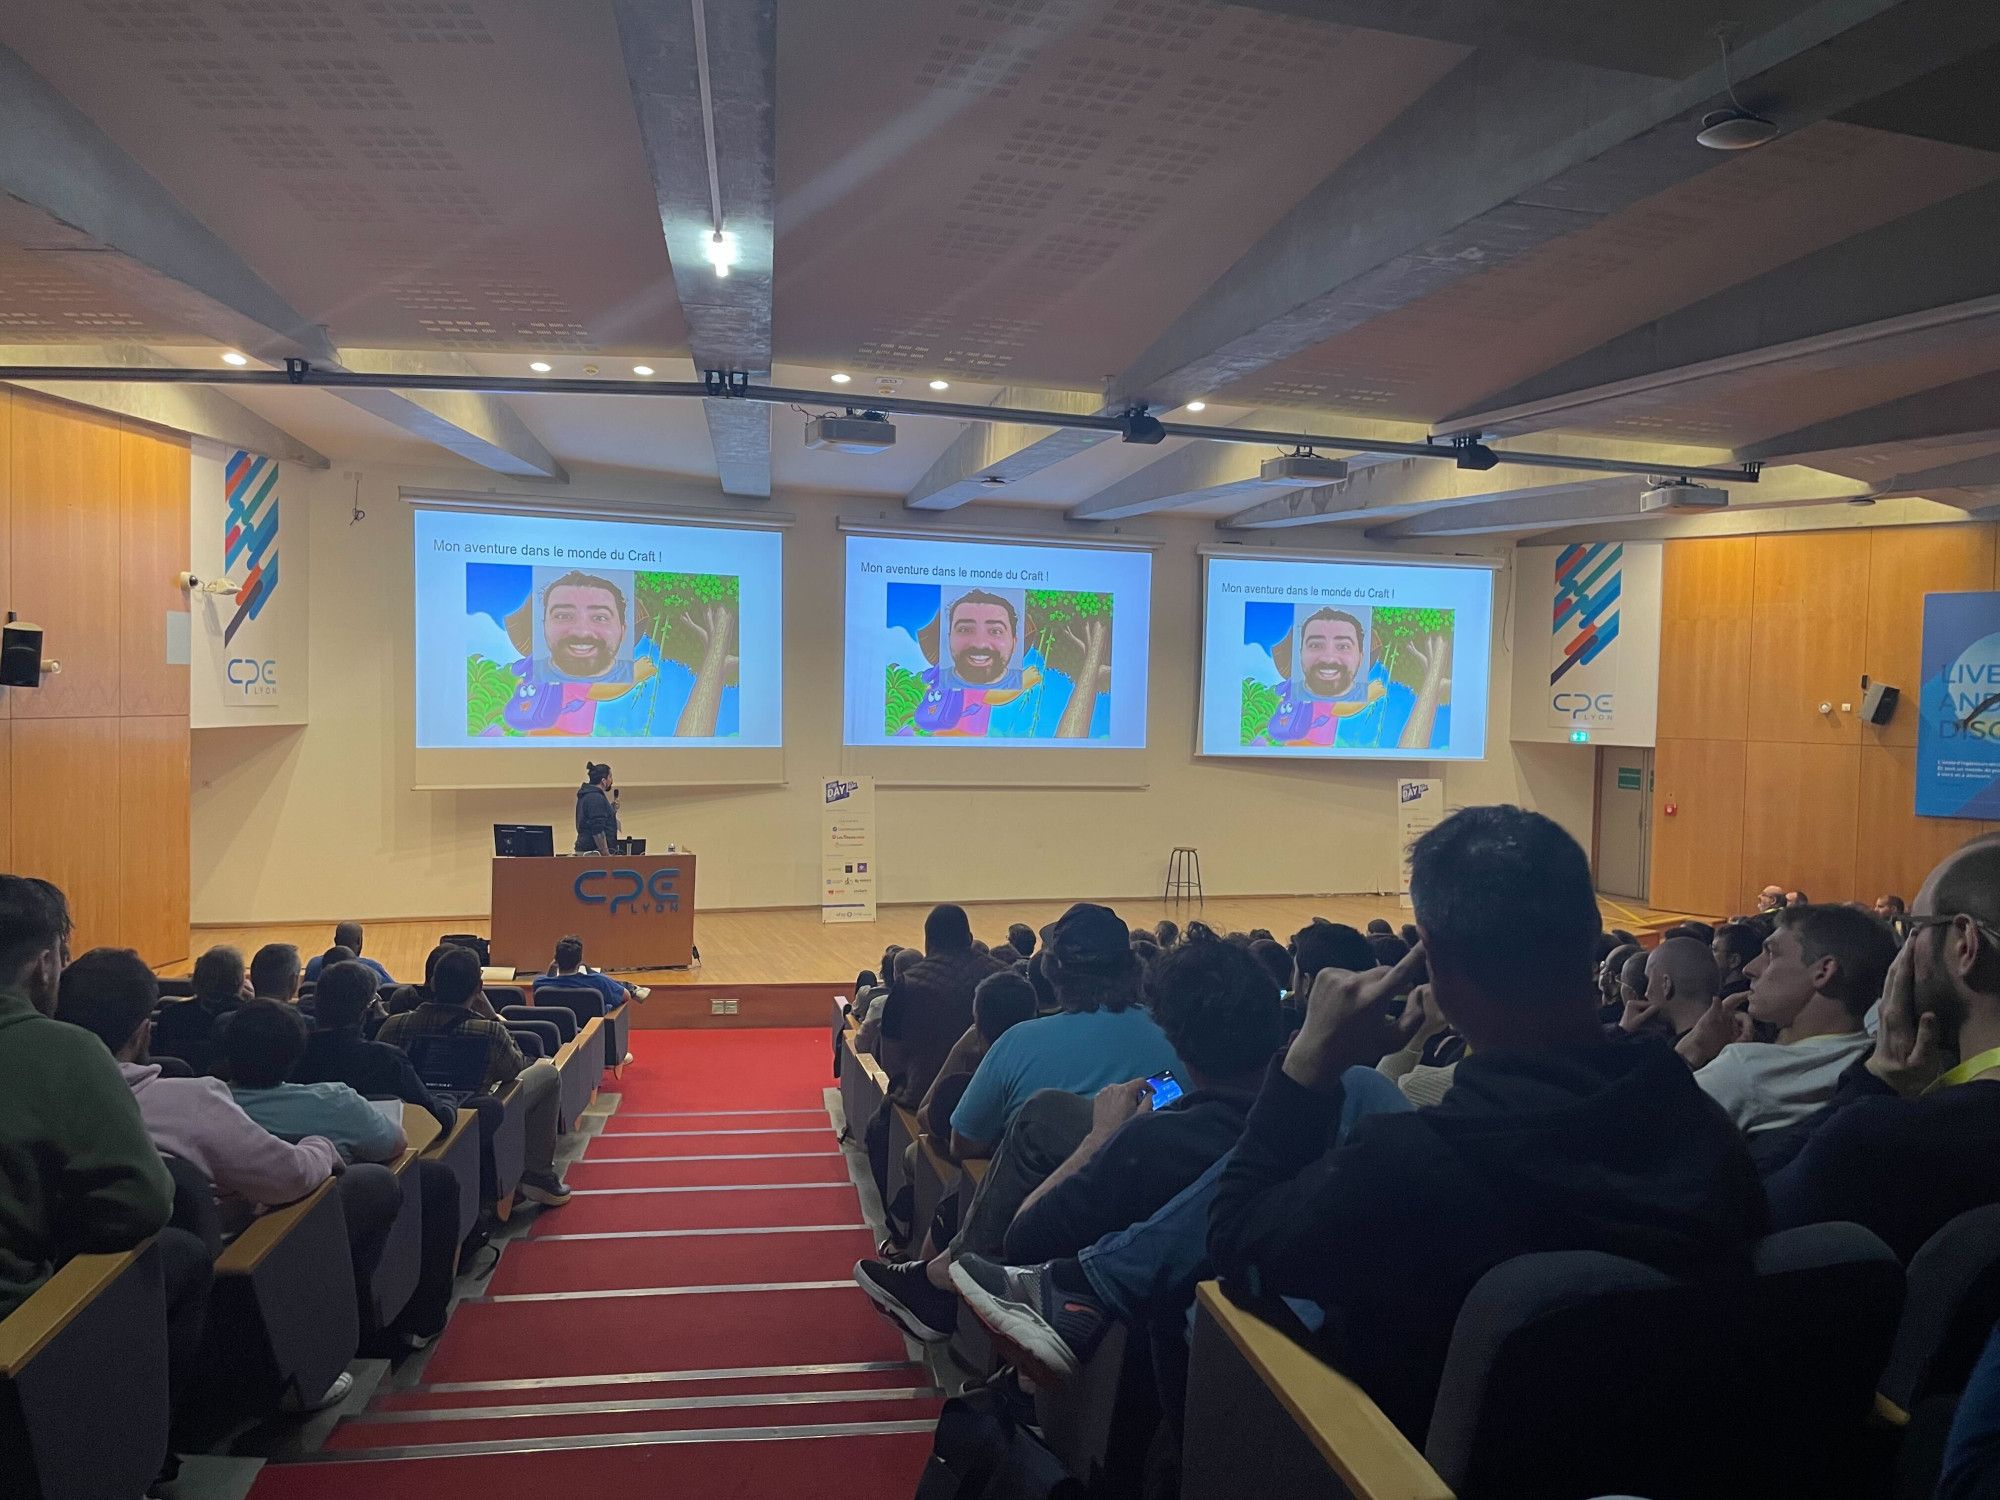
[1959, 709]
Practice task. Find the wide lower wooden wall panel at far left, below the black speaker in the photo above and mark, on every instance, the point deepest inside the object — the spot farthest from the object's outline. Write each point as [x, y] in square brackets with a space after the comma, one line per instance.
[67, 783]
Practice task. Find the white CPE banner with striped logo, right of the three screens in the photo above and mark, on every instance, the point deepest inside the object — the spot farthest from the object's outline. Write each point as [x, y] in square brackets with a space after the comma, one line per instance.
[1587, 643]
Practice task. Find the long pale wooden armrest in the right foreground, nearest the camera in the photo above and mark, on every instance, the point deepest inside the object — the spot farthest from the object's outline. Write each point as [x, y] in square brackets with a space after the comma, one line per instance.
[1363, 1447]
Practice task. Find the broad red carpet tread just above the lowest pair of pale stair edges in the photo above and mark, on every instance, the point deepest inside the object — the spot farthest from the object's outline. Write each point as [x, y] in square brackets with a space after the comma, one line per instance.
[549, 1341]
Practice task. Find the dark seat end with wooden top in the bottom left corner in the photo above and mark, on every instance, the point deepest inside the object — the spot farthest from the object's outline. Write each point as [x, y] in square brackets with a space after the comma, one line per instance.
[83, 1381]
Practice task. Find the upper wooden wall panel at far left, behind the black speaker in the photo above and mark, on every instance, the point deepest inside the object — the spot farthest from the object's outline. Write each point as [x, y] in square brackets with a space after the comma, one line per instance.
[67, 553]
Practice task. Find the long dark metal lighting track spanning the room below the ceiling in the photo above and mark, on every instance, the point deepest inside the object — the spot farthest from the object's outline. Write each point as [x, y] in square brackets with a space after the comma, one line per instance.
[303, 375]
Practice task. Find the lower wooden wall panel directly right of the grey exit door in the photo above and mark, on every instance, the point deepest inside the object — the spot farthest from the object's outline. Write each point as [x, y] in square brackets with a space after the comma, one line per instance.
[1697, 853]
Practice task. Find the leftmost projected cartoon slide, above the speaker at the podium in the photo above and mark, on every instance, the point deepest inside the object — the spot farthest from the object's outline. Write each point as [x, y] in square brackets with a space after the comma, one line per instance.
[541, 631]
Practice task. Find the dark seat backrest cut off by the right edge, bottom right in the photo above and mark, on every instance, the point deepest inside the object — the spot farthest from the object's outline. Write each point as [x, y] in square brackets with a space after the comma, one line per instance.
[1953, 1301]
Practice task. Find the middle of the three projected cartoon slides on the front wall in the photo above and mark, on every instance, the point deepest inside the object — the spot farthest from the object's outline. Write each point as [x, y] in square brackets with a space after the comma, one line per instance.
[995, 643]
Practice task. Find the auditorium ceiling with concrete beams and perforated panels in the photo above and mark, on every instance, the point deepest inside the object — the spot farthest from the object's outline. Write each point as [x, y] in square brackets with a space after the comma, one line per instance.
[1345, 217]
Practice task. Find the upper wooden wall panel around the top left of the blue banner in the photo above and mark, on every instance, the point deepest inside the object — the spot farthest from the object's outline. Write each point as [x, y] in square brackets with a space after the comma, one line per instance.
[1905, 563]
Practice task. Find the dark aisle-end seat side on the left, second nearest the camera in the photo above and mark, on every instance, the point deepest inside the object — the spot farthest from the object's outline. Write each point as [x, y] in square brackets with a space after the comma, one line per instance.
[275, 1325]
